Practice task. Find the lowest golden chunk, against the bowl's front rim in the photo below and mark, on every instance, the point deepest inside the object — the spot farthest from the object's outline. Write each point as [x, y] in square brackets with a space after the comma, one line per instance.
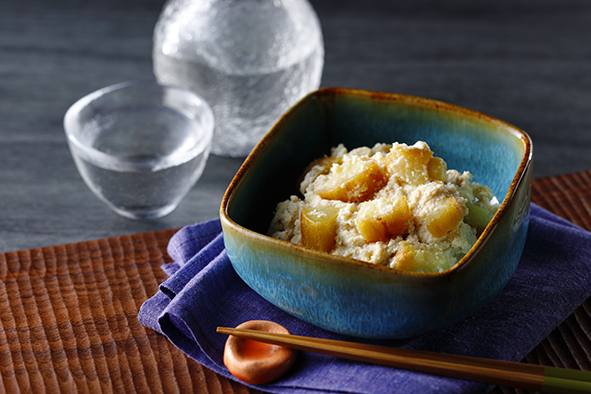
[420, 259]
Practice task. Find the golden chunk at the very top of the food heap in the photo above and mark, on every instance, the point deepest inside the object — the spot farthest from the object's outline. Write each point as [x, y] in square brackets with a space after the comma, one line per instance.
[409, 164]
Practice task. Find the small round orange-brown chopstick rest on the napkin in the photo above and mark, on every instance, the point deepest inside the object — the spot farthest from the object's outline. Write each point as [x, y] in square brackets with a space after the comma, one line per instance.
[257, 362]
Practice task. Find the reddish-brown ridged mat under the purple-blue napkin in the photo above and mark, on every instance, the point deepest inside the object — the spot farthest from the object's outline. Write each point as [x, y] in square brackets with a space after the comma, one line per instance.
[68, 314]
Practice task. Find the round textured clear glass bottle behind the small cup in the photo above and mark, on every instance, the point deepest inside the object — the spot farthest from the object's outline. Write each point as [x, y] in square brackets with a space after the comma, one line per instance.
[249, 59]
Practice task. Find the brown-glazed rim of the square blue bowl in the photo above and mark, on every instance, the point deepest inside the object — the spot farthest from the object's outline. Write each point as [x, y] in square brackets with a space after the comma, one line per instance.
[525, 163]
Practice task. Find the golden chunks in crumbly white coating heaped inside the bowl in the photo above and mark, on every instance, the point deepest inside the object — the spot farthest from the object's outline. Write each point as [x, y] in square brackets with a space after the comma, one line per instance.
[393, 204]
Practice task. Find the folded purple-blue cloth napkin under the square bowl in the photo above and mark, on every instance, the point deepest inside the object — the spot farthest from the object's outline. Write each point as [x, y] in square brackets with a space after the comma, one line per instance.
[203, 292]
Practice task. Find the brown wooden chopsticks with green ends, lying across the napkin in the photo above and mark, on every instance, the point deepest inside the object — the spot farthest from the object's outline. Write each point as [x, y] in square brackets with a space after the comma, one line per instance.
[504, 373]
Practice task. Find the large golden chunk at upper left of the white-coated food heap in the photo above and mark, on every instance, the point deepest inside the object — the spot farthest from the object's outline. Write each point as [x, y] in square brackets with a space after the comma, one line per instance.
[353, 181]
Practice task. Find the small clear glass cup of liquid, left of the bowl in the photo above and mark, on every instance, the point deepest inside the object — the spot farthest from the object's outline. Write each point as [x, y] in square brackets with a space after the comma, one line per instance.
[140, 146]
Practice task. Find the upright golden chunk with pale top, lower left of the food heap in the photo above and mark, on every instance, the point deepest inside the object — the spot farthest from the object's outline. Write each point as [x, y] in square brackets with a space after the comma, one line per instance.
[318, 226]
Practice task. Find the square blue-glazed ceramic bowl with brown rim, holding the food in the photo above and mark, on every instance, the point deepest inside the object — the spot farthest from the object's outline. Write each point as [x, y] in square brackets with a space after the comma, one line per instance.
[357, 298]
